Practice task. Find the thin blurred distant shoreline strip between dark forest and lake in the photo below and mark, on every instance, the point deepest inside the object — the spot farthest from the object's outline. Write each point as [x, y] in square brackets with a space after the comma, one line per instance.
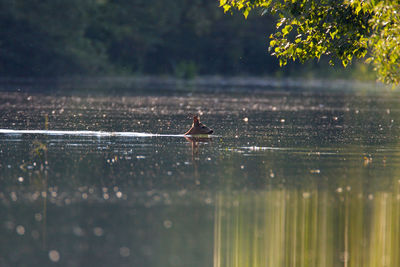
[207, 83]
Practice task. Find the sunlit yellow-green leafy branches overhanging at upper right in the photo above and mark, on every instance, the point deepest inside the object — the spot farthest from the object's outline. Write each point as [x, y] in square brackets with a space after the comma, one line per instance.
[344, 30]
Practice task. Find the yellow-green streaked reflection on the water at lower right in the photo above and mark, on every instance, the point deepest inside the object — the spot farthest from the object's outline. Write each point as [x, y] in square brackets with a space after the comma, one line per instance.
[291, 227]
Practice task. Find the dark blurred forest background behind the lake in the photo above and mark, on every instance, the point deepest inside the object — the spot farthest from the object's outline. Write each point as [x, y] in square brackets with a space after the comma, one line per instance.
[183, 38]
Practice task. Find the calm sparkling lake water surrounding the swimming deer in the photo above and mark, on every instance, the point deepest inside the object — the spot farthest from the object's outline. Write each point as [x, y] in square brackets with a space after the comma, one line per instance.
[289, 179]
